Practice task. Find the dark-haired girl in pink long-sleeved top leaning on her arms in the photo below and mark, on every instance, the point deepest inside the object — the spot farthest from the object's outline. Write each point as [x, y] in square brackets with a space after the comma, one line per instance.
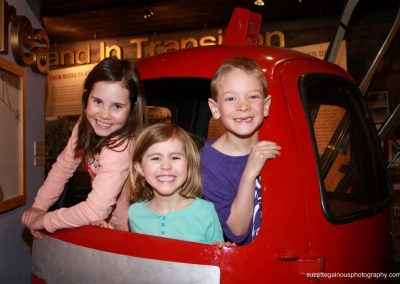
[103, 140]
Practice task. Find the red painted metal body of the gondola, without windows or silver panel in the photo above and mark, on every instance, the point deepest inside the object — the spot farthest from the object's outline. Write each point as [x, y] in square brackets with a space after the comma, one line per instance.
[295, 236]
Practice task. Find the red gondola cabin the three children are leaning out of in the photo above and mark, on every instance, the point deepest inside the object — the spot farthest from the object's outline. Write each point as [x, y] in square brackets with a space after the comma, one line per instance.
[325, 199]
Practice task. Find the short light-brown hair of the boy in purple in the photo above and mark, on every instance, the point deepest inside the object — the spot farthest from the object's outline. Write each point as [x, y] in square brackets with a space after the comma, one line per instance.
[245, 64]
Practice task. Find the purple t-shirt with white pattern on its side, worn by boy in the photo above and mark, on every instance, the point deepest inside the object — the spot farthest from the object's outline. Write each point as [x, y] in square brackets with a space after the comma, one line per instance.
[221, 177]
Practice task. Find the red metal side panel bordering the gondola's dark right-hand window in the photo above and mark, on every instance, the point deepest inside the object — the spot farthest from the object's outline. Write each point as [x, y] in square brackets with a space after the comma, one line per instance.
[360, 246]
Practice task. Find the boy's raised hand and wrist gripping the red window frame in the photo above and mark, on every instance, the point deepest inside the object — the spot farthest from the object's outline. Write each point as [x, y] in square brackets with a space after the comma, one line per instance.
[259, 154]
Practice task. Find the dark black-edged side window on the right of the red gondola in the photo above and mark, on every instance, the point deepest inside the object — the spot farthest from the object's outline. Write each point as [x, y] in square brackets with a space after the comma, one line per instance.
[352, 174]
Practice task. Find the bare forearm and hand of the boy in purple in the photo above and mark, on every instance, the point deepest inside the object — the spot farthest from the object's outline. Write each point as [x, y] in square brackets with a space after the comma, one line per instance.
[242, 207]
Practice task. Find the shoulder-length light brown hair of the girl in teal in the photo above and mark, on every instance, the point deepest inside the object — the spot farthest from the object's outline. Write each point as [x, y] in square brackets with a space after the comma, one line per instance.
[156, 133]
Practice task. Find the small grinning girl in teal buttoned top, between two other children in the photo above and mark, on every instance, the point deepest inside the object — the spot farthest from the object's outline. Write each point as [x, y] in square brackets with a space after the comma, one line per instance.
[166, 188]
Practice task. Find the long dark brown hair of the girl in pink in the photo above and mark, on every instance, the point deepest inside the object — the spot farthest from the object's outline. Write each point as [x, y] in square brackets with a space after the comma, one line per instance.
[112, 69]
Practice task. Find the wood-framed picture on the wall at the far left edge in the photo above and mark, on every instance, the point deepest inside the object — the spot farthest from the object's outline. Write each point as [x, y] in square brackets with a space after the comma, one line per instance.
[12, 143]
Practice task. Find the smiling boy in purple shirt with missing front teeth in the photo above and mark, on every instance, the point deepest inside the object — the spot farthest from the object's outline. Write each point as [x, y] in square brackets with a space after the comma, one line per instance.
[231, 165]
